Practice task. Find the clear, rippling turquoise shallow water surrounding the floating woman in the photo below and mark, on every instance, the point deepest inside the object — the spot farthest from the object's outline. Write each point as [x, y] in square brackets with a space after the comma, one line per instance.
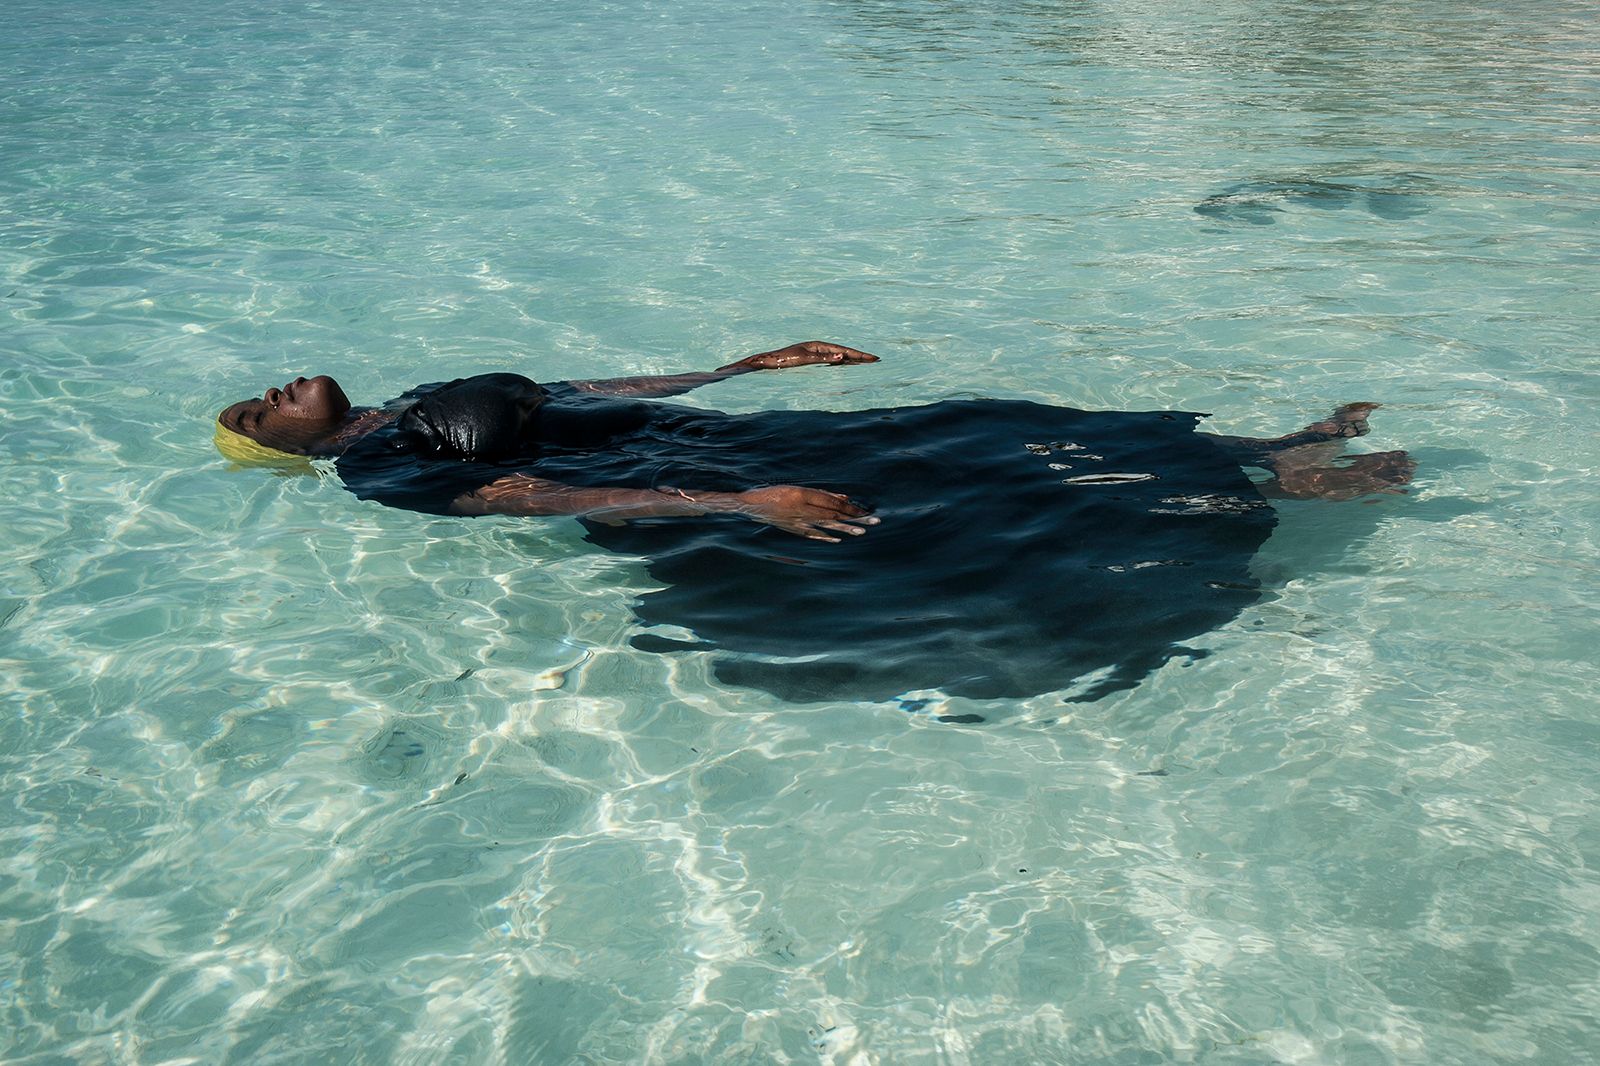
[238, 707]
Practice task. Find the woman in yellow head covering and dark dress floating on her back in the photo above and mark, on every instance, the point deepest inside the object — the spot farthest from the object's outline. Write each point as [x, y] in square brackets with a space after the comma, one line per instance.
[978, 548]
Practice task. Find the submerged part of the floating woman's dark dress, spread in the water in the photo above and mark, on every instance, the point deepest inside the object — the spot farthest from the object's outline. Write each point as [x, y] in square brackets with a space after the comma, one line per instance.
[1023, 548]
